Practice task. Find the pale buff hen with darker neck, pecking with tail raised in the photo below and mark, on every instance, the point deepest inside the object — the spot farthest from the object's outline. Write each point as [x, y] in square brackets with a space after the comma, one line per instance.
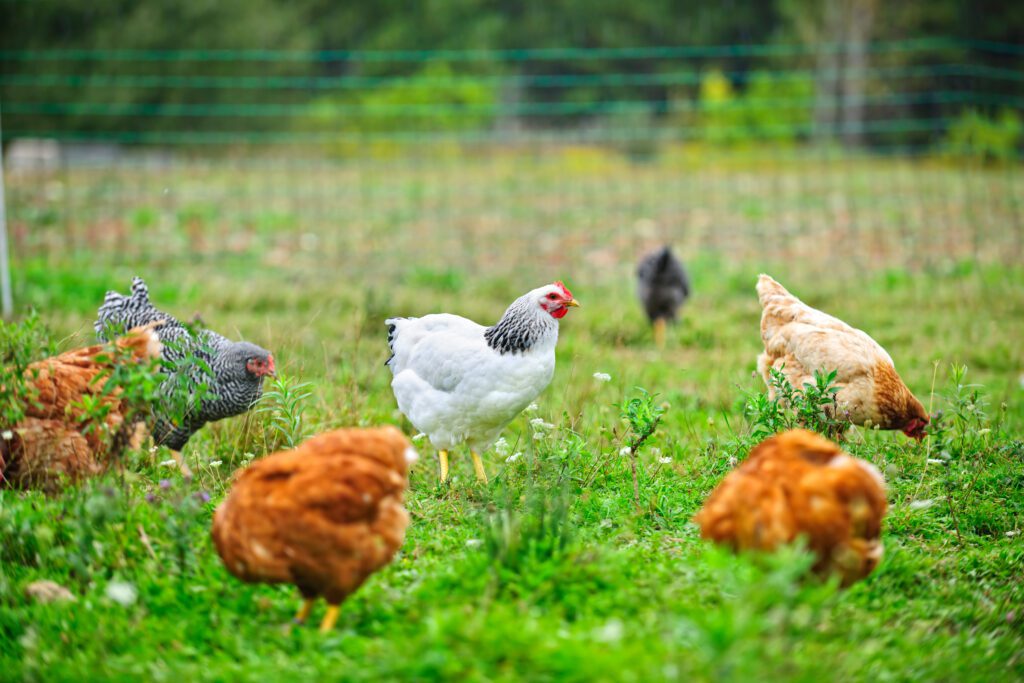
[800, 340]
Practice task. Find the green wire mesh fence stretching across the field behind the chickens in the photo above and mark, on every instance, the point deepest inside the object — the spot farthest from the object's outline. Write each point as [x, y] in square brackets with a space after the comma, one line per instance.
[499, 162]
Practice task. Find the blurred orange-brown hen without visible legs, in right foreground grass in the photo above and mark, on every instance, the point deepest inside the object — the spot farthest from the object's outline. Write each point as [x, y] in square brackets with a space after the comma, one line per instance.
[800, 485]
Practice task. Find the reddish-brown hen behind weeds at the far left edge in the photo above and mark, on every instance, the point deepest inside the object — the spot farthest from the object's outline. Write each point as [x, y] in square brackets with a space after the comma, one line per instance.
[56, 440]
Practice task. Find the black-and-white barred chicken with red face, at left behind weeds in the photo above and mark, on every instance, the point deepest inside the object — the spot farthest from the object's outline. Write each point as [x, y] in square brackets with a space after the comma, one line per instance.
[235, 380]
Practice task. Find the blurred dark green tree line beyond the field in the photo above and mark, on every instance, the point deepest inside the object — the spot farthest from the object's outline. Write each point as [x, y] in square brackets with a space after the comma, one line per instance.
[744, 94]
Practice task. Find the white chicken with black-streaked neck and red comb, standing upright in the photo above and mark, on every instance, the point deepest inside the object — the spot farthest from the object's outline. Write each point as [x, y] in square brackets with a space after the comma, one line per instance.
[460, 382]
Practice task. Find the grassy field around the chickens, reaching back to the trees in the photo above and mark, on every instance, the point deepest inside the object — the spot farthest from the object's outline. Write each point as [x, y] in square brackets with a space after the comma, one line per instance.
[548, 573]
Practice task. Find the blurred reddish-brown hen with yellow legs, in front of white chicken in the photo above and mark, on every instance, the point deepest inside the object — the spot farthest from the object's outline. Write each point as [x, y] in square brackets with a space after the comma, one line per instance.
[323, 517]
